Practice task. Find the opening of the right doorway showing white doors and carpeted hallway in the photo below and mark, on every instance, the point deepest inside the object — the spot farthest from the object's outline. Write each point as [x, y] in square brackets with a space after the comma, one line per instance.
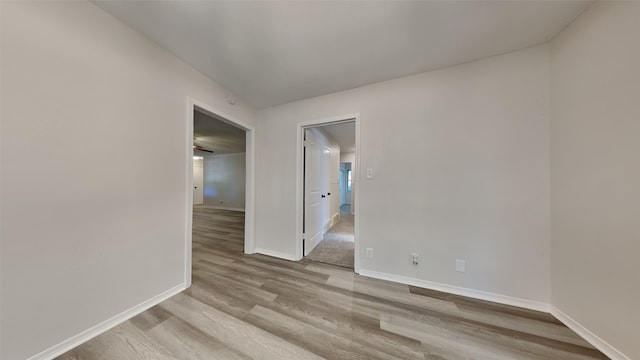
[329, 230]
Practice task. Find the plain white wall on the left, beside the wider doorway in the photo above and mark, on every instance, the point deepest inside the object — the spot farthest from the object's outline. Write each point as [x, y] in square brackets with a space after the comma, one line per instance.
[90, 112]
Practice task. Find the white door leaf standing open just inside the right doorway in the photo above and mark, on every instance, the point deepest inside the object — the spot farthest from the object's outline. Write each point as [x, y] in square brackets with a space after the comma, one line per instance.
[314, 211]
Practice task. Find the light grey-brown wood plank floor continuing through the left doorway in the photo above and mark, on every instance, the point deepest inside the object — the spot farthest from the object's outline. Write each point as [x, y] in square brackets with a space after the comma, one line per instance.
[257, 307]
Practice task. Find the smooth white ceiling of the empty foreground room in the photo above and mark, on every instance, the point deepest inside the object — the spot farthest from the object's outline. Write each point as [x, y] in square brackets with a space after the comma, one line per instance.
[274, 52]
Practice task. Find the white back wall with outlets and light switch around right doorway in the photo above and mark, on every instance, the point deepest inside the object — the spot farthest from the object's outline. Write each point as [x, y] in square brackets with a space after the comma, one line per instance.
[461, 171]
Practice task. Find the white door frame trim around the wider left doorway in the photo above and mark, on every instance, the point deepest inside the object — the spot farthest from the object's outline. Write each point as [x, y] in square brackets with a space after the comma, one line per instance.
[249, 219]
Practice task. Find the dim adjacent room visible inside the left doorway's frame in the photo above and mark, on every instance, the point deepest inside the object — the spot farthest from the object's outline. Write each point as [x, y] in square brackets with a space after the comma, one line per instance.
[219, 182]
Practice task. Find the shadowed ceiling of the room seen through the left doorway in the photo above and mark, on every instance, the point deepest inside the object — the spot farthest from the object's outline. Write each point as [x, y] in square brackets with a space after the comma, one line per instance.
[216, 135]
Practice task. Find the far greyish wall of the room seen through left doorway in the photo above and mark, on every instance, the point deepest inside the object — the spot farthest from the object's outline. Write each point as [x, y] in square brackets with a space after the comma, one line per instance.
[224, 180]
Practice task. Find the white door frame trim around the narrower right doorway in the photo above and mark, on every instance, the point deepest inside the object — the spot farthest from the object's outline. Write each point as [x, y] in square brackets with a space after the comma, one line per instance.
[301, 126]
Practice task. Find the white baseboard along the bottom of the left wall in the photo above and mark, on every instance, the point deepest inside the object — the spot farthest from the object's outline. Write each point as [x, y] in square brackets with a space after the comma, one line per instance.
[104, 326]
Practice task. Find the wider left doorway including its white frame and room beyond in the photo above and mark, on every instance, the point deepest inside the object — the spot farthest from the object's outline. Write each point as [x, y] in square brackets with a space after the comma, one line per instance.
[220, 181]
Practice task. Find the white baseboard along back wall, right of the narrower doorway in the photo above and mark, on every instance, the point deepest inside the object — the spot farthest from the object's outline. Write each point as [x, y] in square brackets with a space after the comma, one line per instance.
[472, 293]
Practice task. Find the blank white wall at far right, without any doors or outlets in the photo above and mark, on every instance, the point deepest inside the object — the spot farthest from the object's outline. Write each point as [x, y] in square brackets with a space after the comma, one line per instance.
[595, 173]
